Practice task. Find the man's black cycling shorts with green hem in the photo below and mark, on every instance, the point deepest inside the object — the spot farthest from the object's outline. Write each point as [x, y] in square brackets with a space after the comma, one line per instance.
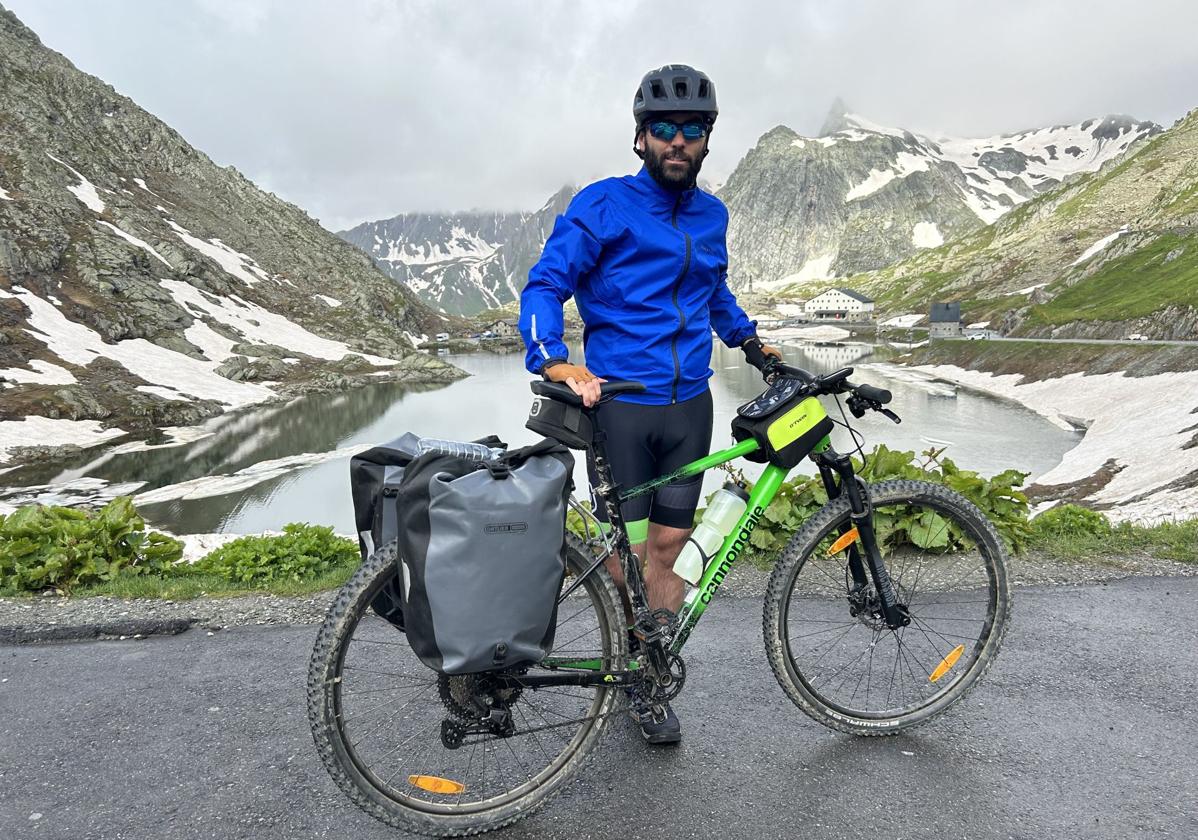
[648, 442]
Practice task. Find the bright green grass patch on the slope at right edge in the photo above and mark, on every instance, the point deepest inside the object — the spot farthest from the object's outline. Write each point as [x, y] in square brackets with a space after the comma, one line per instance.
[1134, 286]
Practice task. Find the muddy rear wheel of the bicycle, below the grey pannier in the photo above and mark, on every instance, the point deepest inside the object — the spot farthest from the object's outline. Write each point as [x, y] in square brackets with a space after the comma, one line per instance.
[390, 730]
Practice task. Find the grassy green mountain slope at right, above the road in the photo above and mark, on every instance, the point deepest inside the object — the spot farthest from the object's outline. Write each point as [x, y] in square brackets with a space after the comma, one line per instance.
[1104, 256]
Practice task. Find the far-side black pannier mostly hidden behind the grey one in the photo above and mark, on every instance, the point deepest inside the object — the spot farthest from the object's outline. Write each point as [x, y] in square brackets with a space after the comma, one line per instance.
[376, 476]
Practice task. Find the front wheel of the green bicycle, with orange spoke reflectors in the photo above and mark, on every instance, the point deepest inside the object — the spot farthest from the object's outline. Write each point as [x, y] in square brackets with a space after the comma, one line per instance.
[828, 645]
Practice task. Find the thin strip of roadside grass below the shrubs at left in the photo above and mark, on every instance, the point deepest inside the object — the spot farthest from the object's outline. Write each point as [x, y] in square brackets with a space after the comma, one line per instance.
[187, 587]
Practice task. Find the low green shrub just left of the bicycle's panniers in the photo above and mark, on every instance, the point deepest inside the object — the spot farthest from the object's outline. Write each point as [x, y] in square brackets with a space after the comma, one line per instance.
[301, 553]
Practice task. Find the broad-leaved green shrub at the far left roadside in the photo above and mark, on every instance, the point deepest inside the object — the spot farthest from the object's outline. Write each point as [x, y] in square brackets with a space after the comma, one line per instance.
[56, 547]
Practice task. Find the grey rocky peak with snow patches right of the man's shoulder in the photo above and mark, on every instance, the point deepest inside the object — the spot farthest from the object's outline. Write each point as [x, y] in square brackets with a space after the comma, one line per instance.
[863, 196]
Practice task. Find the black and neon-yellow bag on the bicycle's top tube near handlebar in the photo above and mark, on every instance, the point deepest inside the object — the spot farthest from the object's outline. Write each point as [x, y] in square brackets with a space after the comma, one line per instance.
[788, 427]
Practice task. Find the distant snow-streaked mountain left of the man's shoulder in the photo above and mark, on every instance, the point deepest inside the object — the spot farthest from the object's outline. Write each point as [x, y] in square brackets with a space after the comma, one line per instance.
[461, 263]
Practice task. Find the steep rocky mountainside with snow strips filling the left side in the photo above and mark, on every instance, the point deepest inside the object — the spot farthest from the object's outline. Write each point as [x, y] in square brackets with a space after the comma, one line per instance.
[143, 286]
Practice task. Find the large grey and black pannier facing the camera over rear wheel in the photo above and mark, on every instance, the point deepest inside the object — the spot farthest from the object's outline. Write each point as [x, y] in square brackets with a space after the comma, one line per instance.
[482, 554]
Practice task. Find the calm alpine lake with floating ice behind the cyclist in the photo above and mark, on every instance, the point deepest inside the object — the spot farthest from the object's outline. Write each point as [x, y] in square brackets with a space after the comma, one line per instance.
[262, 468]
